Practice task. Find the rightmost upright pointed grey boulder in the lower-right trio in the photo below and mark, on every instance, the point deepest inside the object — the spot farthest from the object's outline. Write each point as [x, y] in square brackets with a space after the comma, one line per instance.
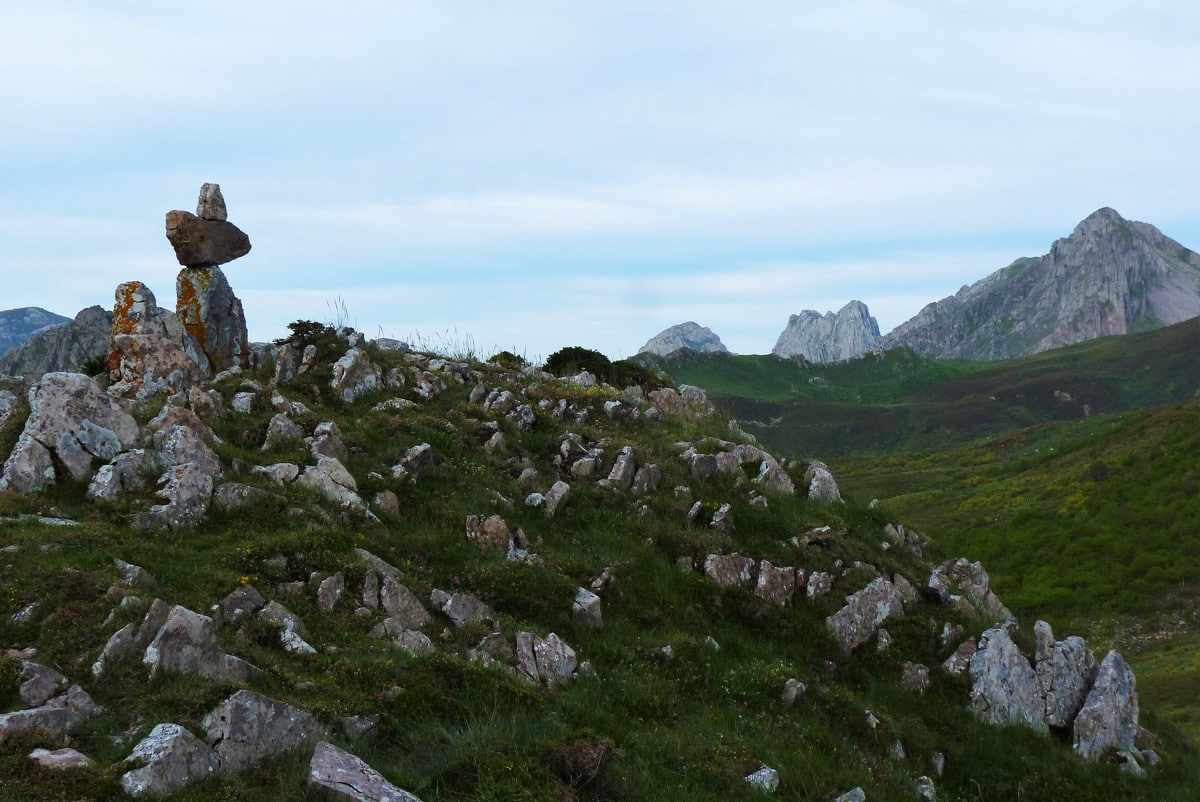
[1109, 717]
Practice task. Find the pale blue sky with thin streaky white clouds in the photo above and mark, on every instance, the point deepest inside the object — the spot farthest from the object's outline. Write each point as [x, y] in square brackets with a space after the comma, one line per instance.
[533, 176]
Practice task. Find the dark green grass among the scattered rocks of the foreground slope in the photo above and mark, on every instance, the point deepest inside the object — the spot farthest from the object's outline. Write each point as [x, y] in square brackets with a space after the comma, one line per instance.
[686, 699]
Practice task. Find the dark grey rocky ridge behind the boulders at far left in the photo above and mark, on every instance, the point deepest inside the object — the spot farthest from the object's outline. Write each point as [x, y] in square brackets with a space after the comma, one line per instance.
[64, 348]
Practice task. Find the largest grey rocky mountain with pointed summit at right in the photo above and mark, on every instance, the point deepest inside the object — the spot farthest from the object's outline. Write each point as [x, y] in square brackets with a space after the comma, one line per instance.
[1111, 277]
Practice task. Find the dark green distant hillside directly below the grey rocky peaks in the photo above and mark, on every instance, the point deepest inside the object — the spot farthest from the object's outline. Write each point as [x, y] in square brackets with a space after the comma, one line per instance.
[901, 402]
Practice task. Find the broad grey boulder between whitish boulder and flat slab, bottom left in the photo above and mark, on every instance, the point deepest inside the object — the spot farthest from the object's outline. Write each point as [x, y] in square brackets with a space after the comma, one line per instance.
[249, 728]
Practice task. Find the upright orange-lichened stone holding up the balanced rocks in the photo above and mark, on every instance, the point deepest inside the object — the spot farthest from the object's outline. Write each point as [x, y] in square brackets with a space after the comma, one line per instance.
[213, 316]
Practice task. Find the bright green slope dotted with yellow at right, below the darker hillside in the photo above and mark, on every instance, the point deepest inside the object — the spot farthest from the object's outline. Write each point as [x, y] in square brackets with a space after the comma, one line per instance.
[1094, 525]
